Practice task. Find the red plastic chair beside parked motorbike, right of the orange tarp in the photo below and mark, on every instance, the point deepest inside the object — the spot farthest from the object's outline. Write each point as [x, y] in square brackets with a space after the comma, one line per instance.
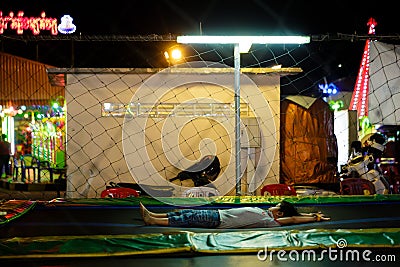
[356, 186]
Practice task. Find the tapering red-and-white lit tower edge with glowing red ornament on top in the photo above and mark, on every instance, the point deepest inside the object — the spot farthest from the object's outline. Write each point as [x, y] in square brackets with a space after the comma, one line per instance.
[359, 100]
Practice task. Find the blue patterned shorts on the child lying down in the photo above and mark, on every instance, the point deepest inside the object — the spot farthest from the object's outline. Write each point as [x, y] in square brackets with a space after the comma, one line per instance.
[194, 218]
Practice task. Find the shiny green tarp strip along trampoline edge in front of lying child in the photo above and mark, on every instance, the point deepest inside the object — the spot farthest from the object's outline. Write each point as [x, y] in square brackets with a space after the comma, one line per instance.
[199, 243]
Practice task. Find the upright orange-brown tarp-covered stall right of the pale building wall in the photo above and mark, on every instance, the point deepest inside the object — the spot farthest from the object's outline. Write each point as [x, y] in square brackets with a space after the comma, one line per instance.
[308, 143]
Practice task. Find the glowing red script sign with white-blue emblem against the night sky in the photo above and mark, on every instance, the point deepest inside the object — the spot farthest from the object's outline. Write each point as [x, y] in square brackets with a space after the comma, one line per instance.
[21, 23]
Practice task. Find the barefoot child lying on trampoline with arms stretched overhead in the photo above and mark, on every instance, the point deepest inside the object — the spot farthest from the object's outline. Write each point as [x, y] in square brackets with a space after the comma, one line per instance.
[283, 213]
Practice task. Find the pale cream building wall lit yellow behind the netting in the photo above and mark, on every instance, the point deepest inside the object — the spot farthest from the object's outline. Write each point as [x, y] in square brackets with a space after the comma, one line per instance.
[103, 149]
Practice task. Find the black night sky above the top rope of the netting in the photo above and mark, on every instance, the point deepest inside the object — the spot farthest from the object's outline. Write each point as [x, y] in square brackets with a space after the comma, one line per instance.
[217, 17]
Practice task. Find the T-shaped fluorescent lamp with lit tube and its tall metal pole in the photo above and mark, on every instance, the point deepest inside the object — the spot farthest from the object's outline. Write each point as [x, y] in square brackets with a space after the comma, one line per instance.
[242, 45]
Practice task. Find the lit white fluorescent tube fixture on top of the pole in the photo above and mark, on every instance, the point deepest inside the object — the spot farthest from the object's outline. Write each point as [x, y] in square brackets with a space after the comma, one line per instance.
[244, 42]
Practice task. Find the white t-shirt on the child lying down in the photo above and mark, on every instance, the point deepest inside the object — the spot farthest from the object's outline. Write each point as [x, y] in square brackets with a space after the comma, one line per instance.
[246, 217]
